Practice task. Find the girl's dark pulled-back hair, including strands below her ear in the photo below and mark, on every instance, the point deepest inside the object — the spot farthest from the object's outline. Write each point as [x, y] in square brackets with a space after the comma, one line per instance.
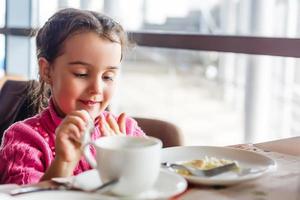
[62, 25]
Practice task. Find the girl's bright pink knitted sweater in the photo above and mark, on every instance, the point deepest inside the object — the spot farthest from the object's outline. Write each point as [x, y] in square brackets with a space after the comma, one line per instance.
[28, 147]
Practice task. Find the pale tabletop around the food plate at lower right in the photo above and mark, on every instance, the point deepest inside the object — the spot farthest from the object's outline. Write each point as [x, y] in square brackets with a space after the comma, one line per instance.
[281, 184]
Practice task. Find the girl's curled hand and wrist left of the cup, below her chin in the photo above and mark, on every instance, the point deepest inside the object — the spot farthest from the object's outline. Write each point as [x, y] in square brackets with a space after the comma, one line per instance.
[68, 136]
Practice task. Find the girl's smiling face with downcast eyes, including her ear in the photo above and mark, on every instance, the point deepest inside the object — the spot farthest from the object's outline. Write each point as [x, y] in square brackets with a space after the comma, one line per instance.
[84, 76]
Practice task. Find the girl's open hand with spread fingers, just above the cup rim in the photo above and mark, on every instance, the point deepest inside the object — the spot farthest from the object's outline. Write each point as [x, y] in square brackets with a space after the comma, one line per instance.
[109, 126]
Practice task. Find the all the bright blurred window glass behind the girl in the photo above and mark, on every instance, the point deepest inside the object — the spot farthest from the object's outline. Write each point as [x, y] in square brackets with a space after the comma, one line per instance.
[214, 97]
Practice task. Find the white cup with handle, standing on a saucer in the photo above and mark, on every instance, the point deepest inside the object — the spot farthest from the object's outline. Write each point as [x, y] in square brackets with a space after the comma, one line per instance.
[134, 161]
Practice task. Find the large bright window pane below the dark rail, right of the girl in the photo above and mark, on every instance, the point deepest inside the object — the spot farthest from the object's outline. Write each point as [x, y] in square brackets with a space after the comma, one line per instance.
[205, 94]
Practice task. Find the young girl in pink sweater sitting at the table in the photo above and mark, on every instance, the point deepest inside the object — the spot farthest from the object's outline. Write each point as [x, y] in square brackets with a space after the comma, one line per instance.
[79, 55]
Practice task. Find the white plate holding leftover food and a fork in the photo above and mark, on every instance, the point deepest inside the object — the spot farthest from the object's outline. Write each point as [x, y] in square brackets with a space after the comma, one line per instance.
[257, 163]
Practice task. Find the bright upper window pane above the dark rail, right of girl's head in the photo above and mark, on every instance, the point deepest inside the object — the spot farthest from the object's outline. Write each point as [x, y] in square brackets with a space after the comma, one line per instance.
[272, 18]
